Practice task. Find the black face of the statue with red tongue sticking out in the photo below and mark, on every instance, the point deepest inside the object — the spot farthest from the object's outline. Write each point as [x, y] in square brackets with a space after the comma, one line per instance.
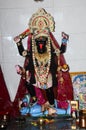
[41, 44]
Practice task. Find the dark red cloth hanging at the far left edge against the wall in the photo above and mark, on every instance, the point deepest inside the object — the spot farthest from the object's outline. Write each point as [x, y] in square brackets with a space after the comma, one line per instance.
[5, 102]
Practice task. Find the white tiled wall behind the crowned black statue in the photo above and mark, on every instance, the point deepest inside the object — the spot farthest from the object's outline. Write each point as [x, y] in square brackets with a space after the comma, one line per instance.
[14, 16]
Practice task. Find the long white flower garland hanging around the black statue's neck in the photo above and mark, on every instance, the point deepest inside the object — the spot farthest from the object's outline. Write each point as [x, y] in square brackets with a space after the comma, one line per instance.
[42, 78]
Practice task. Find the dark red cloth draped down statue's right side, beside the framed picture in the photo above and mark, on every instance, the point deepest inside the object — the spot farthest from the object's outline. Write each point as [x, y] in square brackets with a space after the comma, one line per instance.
[65, 89]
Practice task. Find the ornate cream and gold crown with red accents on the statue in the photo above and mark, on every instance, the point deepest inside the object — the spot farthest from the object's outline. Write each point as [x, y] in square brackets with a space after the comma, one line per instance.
[41, 23]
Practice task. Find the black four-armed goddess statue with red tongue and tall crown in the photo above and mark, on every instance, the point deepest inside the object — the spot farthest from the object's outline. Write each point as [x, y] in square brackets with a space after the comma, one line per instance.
[43, 56]
